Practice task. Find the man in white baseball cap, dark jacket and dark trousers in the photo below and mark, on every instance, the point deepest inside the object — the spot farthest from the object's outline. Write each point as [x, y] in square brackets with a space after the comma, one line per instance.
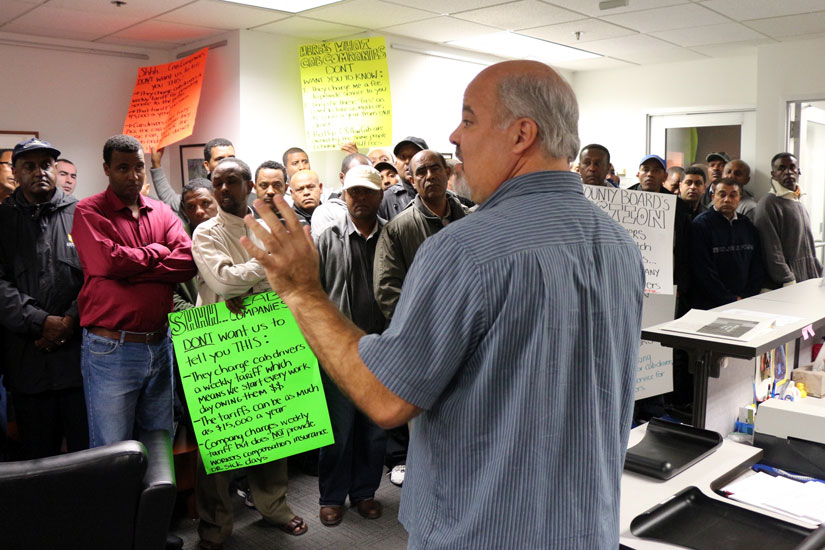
[353, 465]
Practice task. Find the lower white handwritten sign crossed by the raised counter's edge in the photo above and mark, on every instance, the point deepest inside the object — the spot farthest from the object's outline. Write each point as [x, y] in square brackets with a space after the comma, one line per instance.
[654, 373]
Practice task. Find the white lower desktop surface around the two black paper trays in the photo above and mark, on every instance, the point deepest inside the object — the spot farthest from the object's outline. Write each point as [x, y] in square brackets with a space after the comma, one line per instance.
[640, 493]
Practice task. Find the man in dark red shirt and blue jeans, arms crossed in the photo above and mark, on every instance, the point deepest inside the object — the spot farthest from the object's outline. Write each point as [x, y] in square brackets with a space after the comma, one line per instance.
[133, 250]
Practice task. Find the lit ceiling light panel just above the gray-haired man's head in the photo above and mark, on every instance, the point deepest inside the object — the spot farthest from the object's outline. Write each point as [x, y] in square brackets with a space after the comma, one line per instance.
[518, 46]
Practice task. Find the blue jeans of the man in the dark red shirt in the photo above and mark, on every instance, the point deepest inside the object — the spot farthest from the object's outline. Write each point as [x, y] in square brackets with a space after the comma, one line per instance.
[128, 388]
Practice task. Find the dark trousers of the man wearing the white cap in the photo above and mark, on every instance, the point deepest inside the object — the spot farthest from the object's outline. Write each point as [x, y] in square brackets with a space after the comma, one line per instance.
[354, 463]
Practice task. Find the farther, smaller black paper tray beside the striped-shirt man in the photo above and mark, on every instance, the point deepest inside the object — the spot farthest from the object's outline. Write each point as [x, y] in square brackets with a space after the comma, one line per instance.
[668, 449]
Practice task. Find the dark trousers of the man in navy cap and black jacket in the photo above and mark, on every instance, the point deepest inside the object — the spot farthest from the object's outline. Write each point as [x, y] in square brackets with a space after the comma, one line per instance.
[43, 419]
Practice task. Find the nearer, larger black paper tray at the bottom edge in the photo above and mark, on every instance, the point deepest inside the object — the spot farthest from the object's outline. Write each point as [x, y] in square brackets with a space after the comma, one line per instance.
[694, 520]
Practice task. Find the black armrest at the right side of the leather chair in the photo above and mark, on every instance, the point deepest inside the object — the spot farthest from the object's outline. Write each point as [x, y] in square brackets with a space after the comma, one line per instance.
[158, 497]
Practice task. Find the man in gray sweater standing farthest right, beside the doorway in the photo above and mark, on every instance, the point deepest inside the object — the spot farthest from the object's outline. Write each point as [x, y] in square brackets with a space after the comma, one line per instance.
[785, 228]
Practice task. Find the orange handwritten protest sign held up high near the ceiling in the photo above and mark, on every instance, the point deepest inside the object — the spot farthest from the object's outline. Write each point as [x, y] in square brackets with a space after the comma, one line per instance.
[165, 101]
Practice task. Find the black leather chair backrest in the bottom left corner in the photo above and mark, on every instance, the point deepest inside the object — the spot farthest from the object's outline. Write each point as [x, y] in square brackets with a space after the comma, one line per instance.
[88, 499]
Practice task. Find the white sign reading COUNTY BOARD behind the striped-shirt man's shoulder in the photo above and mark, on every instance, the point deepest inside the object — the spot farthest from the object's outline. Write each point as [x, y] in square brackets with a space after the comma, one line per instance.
[649, 219]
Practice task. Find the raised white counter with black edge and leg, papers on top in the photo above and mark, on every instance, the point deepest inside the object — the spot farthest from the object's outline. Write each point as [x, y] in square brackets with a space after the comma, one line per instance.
[805, 300]
